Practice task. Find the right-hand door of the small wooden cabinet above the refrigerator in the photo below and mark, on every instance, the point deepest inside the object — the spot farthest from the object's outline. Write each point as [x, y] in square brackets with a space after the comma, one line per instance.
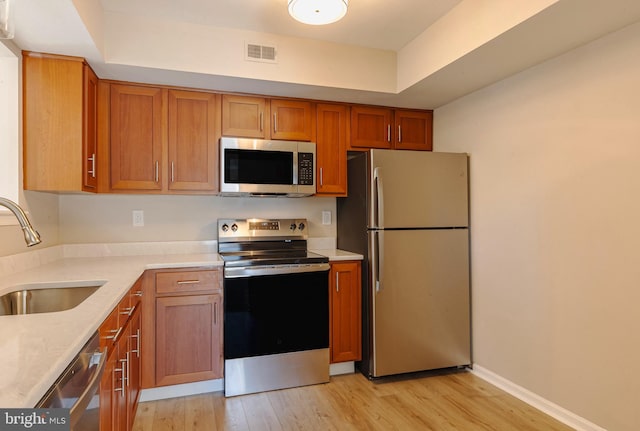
[413, 130]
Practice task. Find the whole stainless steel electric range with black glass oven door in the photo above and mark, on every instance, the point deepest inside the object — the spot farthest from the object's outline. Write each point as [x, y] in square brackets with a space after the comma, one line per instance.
[276, 306]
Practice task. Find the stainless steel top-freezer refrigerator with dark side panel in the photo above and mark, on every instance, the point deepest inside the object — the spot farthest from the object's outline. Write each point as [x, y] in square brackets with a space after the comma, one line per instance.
[407, 213]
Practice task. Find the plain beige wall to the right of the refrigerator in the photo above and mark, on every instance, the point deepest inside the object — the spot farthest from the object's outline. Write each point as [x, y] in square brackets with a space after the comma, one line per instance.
[555, 211]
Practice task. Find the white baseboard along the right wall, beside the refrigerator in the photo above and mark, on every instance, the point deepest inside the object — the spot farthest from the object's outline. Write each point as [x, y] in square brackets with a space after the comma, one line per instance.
[563, 415]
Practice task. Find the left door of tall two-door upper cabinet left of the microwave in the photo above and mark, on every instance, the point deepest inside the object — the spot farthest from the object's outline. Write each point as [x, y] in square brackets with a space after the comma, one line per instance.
[136, 137]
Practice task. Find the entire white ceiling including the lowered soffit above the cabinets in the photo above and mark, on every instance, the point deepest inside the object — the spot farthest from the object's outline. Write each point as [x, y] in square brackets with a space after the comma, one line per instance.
[417, 34]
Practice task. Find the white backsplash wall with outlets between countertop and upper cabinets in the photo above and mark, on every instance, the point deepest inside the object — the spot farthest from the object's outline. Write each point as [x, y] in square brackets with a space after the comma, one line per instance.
[108, 218]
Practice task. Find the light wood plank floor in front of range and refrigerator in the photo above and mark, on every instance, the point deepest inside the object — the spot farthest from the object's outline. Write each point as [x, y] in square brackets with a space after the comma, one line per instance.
[458, 401]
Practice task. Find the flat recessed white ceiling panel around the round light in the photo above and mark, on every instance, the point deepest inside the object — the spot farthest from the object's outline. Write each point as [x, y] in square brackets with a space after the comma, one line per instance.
[369, 23]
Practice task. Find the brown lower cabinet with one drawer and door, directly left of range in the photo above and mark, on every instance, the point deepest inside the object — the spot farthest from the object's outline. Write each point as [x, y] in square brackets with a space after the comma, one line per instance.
[182, 323]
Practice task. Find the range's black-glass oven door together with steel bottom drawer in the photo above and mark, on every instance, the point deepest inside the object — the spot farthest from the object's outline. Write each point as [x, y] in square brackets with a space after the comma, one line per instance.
[276, 327]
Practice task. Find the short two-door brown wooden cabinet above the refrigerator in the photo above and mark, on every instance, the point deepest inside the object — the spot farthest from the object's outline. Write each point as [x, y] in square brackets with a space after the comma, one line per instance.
[400, 129]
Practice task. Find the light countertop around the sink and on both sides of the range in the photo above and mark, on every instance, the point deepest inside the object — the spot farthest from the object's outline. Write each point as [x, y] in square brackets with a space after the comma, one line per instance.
[35, 349]
